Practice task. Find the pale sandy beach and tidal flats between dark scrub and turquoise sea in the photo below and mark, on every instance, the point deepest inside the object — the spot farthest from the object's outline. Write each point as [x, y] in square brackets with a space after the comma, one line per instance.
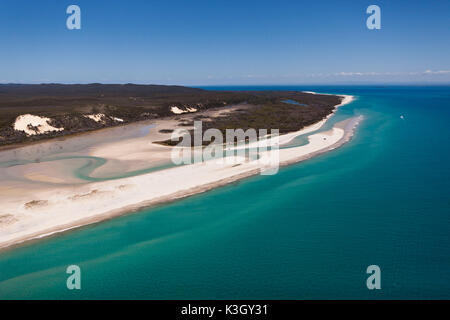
[39, 199]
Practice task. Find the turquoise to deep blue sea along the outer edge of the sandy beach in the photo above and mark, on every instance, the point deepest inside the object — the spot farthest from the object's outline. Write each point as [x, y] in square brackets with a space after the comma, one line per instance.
[308, 232]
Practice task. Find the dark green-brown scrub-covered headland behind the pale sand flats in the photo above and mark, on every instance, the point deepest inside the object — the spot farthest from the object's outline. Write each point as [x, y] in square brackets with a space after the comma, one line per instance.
[85, 107]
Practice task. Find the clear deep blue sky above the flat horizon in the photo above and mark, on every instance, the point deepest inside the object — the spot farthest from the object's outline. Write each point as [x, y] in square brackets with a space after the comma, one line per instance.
[225, 42]
